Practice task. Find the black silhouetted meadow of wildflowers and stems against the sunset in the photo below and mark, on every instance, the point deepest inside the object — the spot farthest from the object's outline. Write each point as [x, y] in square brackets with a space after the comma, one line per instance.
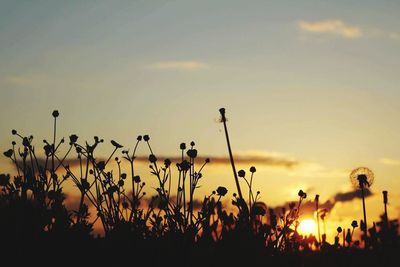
[169, 228]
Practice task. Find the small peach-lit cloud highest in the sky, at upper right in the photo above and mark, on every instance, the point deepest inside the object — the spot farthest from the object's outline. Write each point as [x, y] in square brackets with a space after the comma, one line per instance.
[336, 27]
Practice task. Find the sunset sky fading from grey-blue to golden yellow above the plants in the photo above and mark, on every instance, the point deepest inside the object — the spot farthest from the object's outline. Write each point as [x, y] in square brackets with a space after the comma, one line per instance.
[309, 82]
